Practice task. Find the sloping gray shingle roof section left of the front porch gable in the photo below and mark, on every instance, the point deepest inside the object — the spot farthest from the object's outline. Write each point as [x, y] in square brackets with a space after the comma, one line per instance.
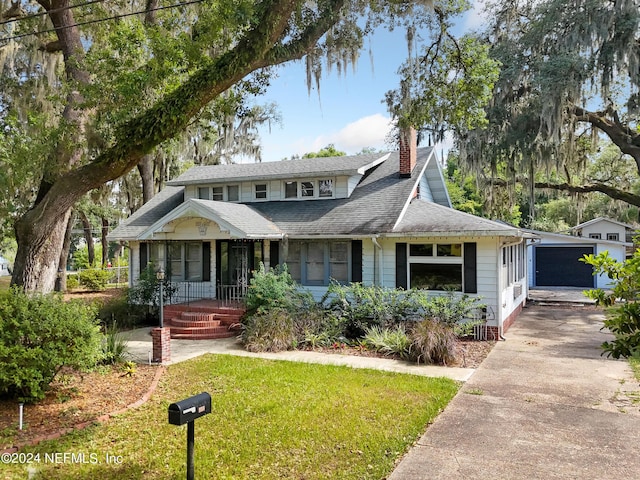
[152, 211]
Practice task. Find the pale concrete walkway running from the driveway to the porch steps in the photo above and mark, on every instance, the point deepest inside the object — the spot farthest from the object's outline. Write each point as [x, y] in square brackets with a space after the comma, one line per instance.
[139, 350]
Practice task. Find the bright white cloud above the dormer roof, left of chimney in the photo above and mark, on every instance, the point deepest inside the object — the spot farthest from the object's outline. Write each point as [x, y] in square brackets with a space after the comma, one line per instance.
[369, 131]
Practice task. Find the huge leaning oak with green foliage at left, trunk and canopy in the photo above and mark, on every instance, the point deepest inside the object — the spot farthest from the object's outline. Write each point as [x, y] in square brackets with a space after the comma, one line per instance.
[117, 89]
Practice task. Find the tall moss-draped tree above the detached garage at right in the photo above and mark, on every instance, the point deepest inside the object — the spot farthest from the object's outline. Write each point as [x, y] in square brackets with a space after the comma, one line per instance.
[569, 73]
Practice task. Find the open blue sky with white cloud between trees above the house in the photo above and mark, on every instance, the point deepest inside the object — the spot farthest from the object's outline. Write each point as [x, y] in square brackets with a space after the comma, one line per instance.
[349, 112]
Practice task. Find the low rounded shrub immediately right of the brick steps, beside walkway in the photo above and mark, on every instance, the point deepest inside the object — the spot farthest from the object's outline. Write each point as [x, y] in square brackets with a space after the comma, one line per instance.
[269, 331]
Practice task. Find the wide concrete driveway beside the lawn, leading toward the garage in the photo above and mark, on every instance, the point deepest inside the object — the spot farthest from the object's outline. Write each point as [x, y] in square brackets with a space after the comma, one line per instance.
[543, 405]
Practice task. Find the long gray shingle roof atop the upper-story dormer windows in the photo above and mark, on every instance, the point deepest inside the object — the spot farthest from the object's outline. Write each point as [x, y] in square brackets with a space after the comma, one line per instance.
[300, 168]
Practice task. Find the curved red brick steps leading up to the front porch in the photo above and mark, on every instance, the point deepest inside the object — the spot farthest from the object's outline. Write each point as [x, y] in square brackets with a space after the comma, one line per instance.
[203, 320]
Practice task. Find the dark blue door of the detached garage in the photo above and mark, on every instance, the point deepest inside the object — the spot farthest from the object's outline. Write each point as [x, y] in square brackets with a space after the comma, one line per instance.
[560, 267]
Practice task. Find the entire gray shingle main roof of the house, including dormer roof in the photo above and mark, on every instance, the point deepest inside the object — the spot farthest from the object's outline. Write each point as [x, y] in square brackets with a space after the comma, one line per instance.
[374, 207]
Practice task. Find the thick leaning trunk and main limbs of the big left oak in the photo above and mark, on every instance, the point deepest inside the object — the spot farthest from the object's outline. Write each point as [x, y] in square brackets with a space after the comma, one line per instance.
[40, 232]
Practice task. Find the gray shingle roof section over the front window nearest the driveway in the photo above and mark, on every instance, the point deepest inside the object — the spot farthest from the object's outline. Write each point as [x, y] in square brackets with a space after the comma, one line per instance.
[433, 219]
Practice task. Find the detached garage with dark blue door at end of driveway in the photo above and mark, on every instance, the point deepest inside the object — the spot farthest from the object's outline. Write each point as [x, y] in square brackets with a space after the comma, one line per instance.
[554, 259]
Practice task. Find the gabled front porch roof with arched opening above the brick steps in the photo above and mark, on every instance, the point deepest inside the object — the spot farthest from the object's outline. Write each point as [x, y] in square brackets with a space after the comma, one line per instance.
[240, 221]
